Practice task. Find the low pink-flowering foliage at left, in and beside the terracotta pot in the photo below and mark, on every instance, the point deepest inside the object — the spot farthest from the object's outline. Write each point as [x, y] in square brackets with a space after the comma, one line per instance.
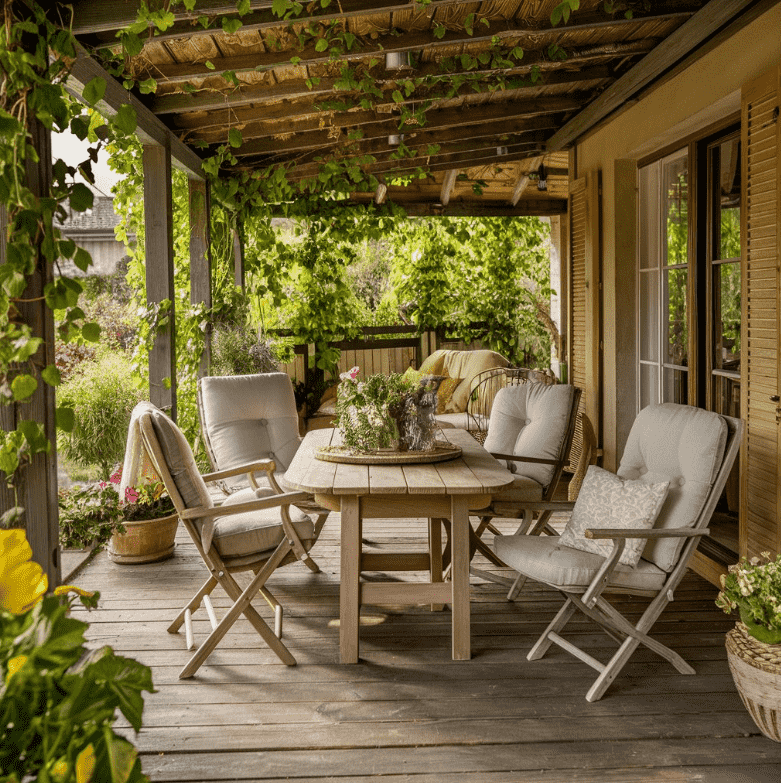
[92, 513]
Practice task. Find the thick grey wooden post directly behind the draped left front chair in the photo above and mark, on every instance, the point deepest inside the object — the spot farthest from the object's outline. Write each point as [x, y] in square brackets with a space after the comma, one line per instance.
[158, 218]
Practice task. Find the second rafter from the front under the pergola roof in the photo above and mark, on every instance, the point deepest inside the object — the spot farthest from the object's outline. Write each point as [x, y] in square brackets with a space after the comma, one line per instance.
[406, 42]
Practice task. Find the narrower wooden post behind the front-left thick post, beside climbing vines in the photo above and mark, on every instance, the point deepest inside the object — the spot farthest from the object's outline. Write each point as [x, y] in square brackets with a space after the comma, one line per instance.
[201, 259]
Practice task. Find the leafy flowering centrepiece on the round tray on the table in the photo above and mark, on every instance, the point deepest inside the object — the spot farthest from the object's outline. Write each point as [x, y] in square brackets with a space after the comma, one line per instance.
[366, 409]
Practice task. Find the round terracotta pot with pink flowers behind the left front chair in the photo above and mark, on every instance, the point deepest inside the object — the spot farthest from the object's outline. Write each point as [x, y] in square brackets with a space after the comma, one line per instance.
[150, 521]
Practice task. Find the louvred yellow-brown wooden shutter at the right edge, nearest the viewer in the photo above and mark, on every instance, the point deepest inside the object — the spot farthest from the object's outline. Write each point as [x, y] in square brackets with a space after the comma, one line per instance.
[760, 484]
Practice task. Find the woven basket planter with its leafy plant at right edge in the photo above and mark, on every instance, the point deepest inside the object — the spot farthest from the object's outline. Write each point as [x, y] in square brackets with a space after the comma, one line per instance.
[753, 587]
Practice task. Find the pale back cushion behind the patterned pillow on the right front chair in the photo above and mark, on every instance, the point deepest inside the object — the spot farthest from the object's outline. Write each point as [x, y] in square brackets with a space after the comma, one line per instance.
[682, 445]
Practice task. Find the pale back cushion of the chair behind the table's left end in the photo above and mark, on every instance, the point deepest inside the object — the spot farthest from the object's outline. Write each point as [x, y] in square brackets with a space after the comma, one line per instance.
[250, 417]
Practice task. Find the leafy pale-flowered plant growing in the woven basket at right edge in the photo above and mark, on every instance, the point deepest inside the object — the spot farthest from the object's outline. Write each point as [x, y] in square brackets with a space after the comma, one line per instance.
[753, 587]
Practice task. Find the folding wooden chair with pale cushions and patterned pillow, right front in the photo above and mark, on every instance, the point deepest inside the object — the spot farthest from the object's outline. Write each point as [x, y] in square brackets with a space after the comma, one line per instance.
[689, 449]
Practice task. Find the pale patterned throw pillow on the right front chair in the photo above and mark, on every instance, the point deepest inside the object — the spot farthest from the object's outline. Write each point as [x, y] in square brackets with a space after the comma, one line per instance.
[605, 500]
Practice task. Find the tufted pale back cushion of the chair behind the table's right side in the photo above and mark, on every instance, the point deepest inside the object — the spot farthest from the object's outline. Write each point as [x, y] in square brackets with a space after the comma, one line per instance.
[530, 420]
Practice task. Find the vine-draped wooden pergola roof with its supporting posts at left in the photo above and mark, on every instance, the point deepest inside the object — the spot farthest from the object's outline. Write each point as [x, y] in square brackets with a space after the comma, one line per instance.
[482, 140]
